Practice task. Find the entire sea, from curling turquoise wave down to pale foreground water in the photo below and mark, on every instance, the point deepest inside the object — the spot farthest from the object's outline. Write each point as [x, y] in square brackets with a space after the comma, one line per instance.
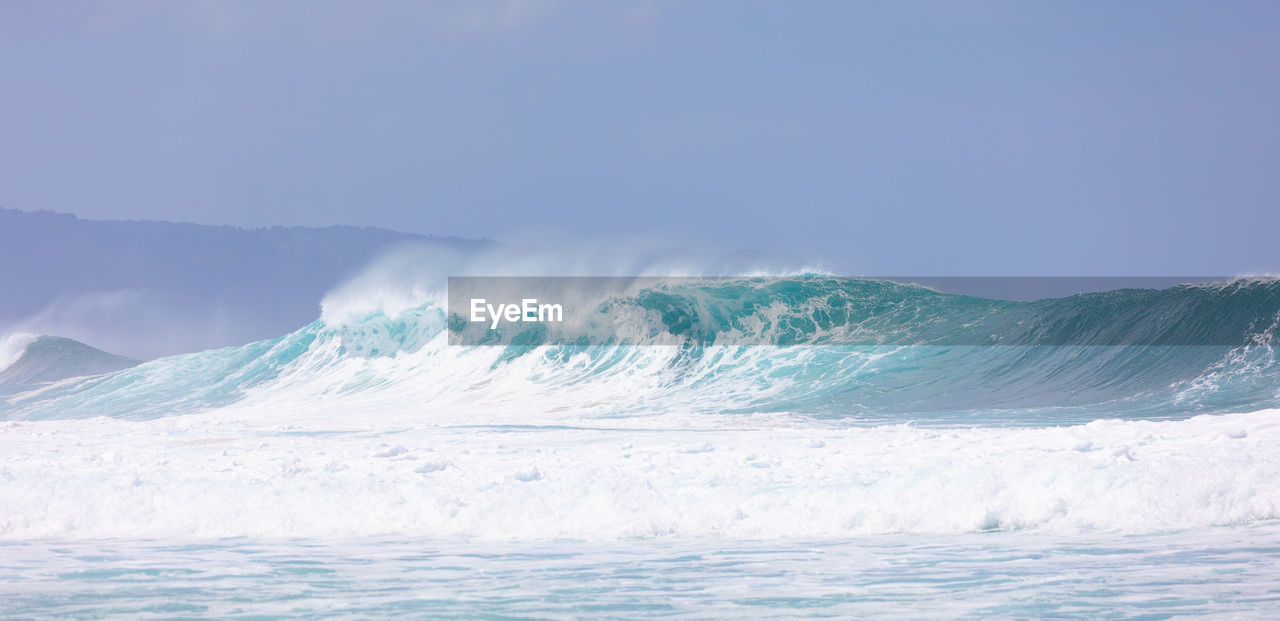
[779, 448]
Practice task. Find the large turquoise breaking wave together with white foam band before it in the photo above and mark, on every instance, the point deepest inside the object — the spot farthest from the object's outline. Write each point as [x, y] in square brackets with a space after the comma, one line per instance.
[872, 408]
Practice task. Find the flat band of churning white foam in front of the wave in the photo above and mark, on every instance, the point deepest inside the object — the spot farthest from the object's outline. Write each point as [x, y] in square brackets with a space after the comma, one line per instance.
[285, 473]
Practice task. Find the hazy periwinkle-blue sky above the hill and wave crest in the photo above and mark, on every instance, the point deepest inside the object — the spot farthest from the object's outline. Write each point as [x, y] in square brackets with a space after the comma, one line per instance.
[881, 138]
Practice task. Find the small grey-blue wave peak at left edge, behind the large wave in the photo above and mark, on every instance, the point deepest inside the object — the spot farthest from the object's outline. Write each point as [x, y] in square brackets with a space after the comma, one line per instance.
[51, 359]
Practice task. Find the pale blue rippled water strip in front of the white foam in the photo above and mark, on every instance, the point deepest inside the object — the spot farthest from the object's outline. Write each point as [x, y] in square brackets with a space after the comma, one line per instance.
[1220, 573]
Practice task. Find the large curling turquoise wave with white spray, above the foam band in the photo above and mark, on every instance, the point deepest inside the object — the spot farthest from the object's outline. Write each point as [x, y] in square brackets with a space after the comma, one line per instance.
[874, 353]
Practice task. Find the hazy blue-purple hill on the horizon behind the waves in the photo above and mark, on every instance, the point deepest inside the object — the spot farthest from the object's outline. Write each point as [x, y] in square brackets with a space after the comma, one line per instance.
[150, 289]
